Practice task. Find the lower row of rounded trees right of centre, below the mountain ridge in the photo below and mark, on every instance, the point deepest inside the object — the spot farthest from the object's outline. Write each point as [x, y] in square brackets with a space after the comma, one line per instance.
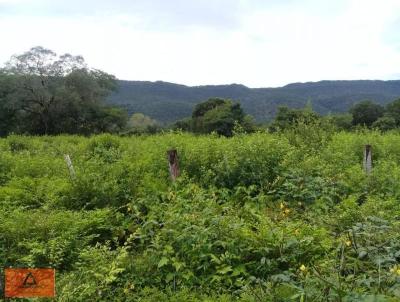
[224, 117]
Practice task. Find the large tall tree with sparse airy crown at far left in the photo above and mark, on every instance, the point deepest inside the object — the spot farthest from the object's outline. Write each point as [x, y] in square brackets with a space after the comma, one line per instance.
[52, 94]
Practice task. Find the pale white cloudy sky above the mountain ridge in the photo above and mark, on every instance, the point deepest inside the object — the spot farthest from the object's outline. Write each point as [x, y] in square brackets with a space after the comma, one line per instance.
[257, 43]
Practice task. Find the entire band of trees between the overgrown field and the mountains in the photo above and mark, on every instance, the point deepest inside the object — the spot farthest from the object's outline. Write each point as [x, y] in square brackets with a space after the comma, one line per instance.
[42, 93]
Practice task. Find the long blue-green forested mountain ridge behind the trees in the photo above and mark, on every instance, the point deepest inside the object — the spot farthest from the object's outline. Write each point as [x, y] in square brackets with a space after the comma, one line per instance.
[168, 102]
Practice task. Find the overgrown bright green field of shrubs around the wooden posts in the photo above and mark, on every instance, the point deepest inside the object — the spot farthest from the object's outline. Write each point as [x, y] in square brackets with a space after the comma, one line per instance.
[261, 217]
